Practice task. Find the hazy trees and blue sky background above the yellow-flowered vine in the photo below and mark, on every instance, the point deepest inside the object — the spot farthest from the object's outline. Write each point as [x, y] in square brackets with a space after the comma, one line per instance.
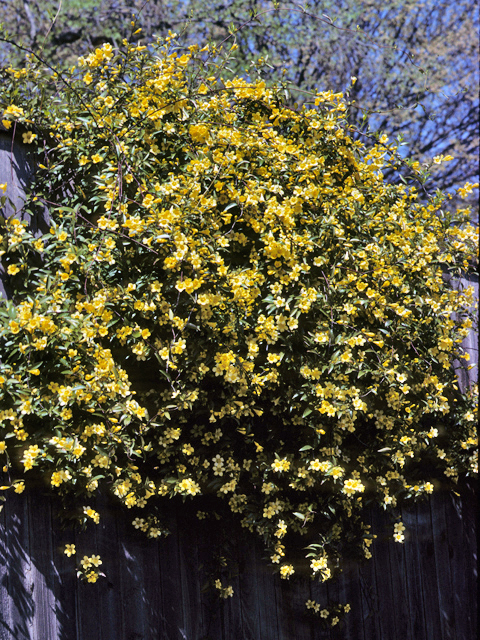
[416, 63]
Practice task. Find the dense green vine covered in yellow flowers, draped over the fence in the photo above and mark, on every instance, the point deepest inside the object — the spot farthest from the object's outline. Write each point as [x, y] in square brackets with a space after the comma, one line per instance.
[231, 301]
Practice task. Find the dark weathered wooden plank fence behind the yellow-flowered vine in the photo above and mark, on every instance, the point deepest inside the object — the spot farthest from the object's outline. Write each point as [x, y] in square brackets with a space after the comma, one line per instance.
[424, 589]
